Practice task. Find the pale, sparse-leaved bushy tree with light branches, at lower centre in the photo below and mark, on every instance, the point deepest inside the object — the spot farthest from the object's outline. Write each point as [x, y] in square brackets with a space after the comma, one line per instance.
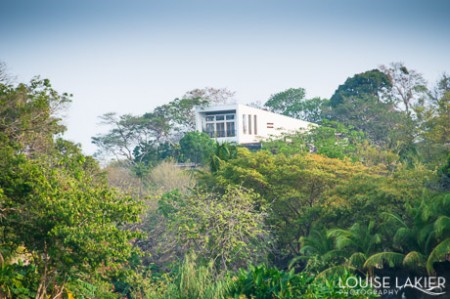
[226, 229]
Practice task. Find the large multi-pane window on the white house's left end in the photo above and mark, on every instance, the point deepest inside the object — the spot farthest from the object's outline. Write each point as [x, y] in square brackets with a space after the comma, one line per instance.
[220, 125]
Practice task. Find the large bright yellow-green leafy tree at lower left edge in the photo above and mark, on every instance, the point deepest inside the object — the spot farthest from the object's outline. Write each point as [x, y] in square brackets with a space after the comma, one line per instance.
[66, 221]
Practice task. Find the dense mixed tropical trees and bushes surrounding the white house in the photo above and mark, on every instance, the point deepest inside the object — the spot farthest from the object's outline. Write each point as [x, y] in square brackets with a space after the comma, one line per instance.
[366, 193]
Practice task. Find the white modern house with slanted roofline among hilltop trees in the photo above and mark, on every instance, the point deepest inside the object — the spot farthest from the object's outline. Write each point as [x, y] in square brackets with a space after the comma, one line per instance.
[245, 125]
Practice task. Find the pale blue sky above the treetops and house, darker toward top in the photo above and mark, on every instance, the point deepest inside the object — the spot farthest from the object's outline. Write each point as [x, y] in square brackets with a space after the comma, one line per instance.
[132, 56]
